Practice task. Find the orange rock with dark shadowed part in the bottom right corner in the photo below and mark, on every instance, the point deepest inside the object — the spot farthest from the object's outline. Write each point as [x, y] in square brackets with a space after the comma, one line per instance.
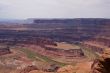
[102, 65]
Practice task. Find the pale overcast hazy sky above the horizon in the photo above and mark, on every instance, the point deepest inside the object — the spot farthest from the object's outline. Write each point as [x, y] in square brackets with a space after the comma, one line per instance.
[54, 9]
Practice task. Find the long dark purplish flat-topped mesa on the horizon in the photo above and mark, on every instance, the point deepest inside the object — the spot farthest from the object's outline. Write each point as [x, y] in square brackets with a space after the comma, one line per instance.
[74, 21]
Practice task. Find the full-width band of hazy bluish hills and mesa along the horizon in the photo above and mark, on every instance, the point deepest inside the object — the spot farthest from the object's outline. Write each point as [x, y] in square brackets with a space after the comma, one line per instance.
[78, 21]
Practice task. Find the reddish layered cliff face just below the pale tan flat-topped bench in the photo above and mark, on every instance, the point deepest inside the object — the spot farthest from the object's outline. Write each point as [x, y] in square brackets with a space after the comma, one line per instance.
[68, 54]
